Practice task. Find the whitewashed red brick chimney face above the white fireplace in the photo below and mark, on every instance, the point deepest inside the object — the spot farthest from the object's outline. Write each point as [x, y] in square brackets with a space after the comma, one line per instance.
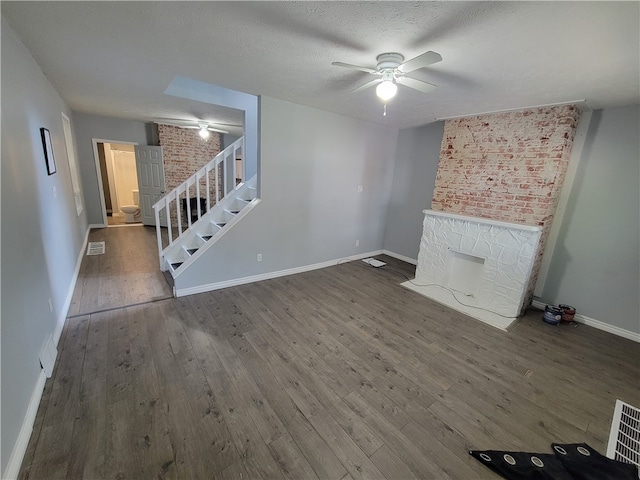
[507, 166]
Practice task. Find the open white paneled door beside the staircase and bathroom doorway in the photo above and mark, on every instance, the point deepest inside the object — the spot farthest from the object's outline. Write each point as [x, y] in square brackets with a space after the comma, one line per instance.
[150, 180]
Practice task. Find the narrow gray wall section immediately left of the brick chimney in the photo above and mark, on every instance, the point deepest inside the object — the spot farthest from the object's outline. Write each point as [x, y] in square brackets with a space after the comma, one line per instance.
[414, 179]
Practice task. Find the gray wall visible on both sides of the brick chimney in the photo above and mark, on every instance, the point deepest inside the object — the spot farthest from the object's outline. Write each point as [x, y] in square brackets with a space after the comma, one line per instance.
[596, 261]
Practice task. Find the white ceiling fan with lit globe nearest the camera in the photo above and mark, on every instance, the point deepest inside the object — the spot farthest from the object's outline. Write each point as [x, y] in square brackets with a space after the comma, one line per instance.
[392, 70]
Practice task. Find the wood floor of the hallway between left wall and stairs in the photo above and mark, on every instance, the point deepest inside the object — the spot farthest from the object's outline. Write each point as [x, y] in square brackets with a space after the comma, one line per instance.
[126, 274]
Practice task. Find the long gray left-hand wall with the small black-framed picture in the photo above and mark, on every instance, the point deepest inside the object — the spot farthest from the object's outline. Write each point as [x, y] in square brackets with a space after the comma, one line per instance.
[42, 236]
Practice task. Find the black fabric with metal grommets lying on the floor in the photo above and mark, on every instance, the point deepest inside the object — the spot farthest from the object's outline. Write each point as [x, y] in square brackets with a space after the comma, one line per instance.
[574, 461]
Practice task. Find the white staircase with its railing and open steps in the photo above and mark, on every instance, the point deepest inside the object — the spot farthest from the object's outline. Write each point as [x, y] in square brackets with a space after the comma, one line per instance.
[185, 229]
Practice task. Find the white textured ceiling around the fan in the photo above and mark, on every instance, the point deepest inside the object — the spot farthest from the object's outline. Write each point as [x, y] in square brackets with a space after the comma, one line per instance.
[117, 58]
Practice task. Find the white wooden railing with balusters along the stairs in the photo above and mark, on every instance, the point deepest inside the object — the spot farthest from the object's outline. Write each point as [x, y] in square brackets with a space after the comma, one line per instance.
[211, 183]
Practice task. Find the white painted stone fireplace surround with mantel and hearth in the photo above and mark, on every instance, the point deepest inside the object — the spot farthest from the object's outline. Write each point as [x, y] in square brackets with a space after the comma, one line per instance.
[482, 263]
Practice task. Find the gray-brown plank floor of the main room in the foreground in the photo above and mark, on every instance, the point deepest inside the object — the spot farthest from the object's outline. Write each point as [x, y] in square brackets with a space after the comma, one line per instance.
[336, 373]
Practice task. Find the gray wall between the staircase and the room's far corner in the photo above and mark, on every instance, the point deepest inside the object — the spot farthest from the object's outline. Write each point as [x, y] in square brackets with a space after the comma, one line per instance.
[312, 163]
